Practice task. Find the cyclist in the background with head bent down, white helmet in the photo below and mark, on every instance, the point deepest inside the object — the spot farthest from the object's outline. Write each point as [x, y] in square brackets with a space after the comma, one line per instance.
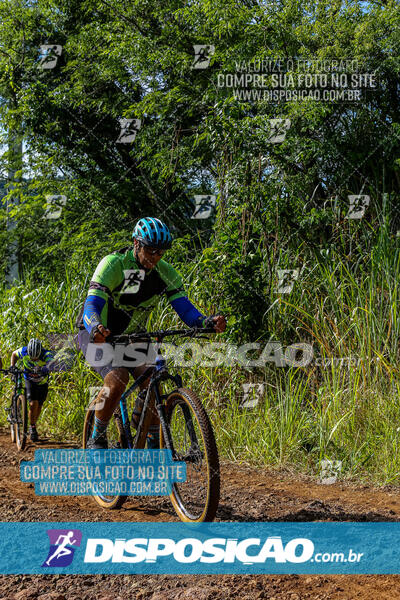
[35, 361]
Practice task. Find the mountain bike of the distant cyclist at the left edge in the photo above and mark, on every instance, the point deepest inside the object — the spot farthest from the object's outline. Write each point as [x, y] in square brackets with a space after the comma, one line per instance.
[18, 410]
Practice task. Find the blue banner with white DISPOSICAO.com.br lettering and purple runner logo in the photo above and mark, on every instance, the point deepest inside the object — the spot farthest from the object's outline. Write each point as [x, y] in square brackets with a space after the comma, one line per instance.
[206, 548]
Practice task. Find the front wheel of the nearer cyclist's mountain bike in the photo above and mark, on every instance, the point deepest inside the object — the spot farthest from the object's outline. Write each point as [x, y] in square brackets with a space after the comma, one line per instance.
[186, 507]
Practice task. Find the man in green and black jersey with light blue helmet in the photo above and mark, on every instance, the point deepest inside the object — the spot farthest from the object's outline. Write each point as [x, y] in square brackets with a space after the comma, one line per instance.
[125, 287]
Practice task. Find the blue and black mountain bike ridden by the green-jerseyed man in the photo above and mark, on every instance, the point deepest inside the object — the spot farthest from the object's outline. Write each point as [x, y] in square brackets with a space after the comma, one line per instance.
[185, 430]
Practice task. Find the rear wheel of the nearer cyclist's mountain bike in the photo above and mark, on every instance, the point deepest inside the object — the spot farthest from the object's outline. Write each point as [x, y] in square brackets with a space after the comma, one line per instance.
[116, 439]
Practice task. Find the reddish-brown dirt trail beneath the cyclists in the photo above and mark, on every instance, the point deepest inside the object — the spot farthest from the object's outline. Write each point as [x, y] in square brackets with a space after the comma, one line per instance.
[247, 495]
